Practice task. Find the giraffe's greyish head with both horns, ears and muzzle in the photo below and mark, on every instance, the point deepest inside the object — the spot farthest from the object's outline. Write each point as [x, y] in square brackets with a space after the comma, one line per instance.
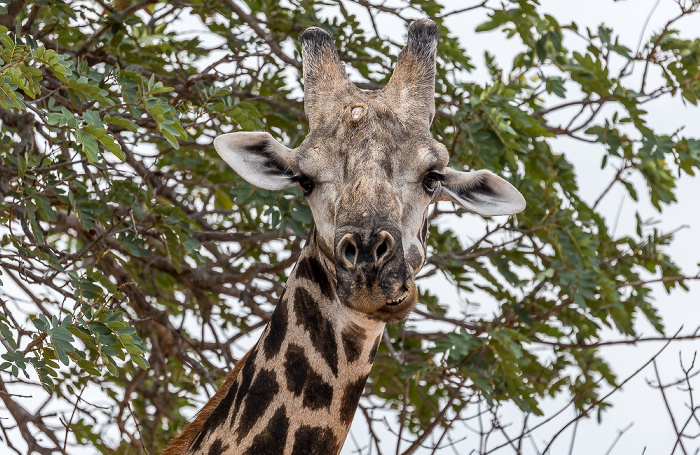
[370, 169]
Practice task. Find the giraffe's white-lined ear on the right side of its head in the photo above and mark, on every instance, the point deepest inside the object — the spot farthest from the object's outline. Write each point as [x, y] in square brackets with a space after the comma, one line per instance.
[482, 192]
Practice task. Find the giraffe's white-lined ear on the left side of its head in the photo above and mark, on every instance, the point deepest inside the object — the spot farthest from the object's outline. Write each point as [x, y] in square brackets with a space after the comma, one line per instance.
[258, 158]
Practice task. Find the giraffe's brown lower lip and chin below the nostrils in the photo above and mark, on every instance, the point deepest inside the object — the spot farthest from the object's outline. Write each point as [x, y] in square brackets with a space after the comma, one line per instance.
[375, 304]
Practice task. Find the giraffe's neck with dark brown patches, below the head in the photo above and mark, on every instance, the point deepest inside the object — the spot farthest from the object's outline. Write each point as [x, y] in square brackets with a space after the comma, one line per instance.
[300, 385]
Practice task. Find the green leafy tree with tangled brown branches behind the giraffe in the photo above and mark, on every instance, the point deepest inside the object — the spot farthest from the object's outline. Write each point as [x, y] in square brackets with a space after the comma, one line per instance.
[134, 263]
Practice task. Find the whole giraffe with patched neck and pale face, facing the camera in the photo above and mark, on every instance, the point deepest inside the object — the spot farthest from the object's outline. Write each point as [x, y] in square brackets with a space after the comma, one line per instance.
[369, 170]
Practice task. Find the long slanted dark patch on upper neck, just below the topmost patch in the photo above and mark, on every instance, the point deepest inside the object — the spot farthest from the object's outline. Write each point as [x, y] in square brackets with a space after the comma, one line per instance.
[308, 315]
